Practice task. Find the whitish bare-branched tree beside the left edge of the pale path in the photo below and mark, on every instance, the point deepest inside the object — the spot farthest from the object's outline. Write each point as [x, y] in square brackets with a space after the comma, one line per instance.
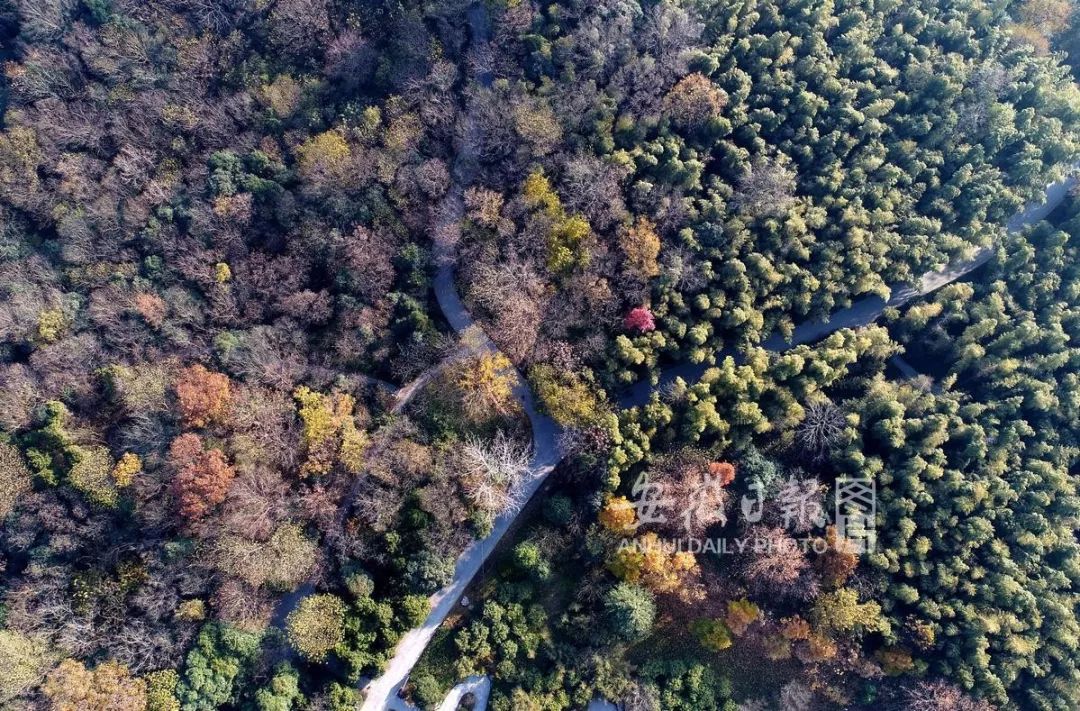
[496, 472]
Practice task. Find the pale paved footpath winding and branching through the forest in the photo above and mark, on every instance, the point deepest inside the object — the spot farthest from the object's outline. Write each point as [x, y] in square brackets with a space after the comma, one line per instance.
[382, 693]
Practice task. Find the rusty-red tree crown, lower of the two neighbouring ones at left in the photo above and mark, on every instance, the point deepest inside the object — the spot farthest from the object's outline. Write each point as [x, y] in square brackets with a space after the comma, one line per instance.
[202, 476]
